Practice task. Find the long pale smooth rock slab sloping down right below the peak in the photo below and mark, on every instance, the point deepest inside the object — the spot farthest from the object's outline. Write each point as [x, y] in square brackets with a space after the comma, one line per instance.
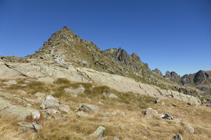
[117, 82]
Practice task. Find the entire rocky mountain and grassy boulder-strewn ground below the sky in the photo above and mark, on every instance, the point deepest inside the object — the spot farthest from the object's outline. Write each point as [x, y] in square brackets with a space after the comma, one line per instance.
[71, 89]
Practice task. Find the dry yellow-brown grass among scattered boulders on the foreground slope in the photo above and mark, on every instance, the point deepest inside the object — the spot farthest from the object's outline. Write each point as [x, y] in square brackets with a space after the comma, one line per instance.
[131, 126]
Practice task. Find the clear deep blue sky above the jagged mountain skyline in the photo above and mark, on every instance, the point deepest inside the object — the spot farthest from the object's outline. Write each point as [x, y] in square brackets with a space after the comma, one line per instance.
[172, 35]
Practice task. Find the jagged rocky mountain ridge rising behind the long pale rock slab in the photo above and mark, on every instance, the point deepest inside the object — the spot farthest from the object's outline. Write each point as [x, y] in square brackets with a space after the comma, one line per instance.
[83, 53]
